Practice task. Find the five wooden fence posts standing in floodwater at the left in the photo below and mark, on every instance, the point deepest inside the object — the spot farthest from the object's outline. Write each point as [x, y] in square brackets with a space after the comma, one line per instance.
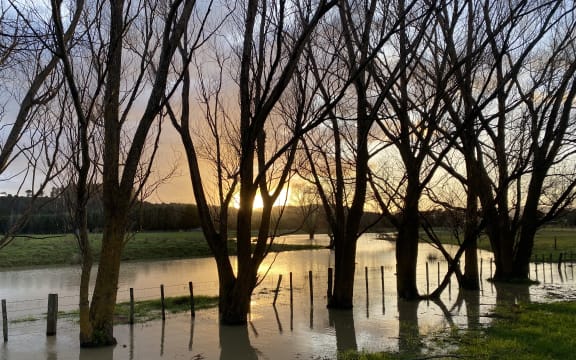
[52, 312]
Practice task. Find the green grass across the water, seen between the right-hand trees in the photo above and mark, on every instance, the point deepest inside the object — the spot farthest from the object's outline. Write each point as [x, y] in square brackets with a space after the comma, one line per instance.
[548, 242]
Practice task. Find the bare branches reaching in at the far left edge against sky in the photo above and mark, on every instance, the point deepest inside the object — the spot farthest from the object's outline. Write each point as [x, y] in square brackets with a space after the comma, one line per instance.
[30, 141]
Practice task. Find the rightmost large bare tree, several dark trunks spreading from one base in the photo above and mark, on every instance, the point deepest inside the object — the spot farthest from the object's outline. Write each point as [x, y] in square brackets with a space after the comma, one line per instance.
[501, 72]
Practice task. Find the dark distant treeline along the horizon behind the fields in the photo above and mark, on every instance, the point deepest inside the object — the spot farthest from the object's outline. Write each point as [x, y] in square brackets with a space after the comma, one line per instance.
[50, 215]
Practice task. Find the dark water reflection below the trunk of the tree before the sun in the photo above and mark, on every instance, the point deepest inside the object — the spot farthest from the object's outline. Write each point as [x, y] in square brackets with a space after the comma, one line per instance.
[235, 343]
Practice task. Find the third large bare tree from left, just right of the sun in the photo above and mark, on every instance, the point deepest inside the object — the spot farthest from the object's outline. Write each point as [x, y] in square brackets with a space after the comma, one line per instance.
[366, 33]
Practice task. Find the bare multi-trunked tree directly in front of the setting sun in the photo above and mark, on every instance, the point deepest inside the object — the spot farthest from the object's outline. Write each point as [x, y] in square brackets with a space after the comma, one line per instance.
[274, 35]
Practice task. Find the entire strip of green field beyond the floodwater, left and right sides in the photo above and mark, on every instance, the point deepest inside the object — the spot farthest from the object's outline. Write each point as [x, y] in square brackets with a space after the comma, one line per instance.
[62, 249]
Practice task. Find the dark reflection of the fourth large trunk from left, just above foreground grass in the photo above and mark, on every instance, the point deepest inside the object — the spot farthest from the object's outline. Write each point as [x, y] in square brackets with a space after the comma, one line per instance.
[409, 341]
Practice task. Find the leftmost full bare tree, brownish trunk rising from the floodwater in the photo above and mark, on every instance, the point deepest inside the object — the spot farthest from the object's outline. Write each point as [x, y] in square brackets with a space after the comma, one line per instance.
[161, 26]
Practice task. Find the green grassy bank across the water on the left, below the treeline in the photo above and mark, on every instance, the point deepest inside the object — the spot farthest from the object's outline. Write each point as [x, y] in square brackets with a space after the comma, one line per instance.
[62, 249]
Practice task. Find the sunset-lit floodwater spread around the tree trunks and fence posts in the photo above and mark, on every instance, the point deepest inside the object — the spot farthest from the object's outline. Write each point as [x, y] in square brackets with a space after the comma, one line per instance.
[299, 329]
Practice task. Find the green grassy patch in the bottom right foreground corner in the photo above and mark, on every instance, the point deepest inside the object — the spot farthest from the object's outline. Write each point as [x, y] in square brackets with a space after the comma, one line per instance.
[523, 332]
